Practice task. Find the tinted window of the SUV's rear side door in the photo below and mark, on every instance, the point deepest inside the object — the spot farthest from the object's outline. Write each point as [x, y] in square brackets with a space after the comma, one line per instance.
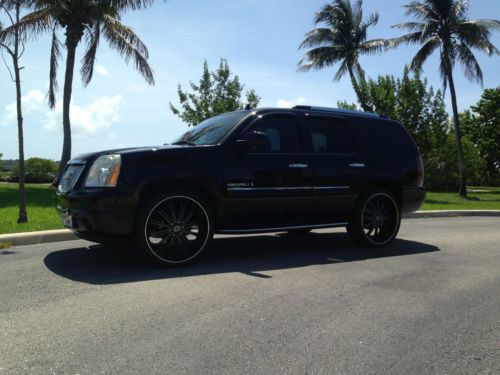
[328, 135]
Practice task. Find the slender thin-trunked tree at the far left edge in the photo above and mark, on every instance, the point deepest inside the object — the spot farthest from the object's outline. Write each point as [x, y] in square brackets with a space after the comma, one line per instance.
[12, 41]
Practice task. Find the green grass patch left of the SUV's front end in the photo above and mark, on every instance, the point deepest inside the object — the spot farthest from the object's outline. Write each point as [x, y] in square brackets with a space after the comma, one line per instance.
[42, 214]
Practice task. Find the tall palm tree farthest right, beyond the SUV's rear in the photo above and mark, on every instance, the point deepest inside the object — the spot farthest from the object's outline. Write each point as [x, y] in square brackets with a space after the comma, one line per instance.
[443, 25]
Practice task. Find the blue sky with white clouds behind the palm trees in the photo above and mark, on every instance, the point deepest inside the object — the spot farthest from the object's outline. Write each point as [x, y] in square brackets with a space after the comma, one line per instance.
[259, 38]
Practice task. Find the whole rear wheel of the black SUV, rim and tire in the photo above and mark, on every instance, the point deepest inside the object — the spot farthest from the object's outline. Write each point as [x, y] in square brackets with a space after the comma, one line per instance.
[376, 220]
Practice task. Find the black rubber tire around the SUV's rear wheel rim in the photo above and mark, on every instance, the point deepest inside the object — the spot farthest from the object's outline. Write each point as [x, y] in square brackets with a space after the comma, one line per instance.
[354, 228]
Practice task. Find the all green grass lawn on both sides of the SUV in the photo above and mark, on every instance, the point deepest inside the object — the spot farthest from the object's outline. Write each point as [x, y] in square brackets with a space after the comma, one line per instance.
[43, 216]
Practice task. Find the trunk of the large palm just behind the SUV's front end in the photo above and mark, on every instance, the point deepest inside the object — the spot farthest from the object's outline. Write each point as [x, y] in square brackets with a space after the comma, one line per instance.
[68, 87]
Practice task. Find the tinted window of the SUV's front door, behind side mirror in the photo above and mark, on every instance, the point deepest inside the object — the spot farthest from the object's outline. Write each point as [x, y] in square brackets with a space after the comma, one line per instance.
[282, 131]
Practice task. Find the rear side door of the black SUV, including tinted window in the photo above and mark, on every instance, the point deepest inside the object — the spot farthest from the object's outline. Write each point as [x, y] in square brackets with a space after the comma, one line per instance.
[335, 164]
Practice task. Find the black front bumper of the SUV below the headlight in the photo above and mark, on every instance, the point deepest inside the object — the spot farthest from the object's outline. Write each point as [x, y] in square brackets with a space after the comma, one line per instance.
[98, 214]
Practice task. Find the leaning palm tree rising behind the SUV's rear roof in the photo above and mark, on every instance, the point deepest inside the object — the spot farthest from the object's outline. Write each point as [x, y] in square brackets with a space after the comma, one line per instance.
[341, 42]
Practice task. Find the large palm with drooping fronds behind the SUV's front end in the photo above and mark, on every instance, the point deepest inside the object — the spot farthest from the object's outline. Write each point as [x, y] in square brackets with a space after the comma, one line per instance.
[86, 20]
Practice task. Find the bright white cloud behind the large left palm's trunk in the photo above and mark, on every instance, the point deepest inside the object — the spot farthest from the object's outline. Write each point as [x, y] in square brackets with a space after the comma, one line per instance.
[99, 115]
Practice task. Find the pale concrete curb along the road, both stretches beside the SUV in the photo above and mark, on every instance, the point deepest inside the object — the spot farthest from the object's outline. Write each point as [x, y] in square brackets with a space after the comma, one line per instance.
[31, 238]
